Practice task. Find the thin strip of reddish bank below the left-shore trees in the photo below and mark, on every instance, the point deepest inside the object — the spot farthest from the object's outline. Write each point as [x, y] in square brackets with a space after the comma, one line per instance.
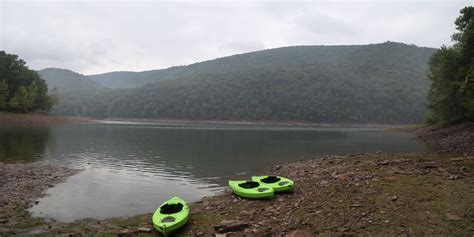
[34, 119]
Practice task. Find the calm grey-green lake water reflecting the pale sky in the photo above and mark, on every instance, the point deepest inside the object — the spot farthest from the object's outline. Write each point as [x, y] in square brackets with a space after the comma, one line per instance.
[132, 168]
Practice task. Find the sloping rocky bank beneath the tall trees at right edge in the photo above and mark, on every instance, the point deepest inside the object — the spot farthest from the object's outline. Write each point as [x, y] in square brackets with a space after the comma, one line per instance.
[454, 139]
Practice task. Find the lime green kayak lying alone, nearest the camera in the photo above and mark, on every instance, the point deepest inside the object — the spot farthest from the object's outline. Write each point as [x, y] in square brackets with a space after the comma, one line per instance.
[170, 216]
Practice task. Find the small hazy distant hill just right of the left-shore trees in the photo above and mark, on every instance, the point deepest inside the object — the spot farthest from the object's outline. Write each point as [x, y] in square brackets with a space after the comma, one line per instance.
[63, 79]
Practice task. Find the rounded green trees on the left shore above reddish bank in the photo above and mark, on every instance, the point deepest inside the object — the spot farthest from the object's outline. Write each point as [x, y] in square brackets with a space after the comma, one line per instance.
[25, 90]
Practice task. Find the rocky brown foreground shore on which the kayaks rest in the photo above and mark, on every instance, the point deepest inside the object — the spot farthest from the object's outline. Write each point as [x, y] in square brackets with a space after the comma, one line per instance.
[369, 194]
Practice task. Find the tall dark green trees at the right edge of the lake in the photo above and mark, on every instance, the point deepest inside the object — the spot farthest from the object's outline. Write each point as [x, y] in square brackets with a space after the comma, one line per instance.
[451, 71]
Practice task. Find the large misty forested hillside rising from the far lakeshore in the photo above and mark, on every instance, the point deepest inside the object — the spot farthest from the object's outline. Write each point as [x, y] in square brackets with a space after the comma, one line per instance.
[380, 83]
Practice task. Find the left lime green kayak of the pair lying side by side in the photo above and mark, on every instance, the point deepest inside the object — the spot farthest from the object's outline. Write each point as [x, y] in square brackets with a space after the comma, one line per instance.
[250, 189]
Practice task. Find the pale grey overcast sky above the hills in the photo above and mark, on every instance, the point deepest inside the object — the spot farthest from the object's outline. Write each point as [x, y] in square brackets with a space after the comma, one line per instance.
[101, 36]
